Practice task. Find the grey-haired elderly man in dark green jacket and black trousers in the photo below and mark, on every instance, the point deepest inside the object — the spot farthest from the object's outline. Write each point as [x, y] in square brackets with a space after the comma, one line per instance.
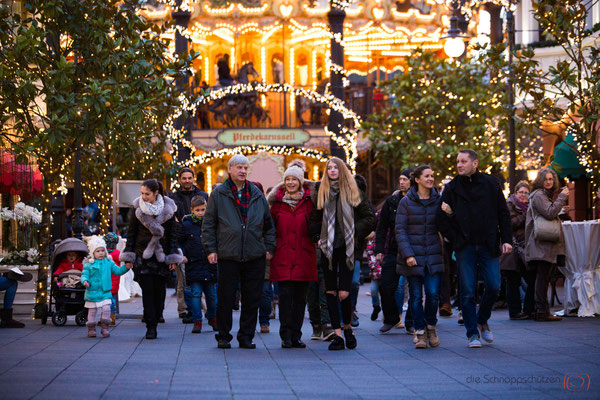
[239, 234]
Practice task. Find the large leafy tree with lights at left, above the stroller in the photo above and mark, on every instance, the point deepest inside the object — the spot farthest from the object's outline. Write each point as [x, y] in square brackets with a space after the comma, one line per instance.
[91, 72]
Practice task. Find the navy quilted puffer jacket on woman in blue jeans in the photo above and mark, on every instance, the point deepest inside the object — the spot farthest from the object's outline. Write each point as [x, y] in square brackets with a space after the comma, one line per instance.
[417, 234]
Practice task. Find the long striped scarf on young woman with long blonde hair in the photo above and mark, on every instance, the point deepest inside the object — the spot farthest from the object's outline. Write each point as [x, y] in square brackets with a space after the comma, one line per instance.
[335, 207]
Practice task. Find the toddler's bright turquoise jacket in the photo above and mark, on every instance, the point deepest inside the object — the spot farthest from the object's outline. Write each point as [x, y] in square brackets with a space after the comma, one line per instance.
[98, 276]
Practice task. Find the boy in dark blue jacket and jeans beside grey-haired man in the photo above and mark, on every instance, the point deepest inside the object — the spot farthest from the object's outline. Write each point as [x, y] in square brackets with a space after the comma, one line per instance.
[200, 275]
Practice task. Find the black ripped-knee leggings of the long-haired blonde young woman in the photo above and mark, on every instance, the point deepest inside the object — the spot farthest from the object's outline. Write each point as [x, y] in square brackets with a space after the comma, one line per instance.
[339, 277]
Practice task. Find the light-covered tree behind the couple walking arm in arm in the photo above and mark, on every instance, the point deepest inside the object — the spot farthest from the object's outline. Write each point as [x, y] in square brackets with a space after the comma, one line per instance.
[439, 106]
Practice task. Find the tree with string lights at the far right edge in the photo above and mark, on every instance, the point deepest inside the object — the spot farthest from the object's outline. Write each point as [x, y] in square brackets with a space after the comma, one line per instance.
[573, 80]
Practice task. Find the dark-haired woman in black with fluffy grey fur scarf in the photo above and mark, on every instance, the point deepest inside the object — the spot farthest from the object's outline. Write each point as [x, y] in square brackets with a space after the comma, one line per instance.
[152, 249]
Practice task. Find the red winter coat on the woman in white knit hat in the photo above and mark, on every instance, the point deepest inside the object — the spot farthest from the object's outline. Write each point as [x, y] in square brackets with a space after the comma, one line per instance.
[295, 257]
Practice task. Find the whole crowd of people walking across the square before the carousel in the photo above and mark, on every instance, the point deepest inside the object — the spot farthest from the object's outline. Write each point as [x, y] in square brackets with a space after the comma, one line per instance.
[308, 238]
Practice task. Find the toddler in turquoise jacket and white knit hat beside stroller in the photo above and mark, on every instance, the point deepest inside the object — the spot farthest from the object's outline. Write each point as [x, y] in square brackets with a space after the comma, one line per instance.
[96, 278]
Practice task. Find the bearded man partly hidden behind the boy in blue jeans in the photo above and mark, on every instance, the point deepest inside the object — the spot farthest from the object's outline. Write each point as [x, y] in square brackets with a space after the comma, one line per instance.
[183, 199]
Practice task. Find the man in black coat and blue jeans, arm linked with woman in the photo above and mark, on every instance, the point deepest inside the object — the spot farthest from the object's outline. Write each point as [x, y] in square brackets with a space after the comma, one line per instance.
[474, 217]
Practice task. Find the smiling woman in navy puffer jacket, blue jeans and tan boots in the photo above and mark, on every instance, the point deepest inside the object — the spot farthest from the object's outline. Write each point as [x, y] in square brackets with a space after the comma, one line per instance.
[420, 253]
